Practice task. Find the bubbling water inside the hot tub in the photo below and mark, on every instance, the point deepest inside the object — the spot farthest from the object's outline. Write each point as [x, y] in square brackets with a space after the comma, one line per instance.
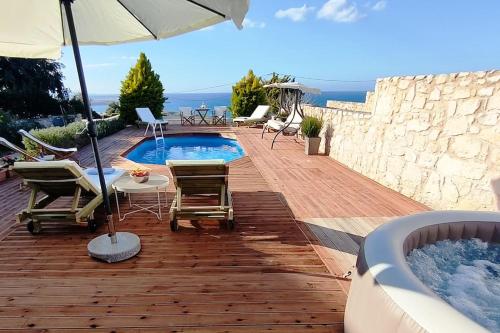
[466, 274]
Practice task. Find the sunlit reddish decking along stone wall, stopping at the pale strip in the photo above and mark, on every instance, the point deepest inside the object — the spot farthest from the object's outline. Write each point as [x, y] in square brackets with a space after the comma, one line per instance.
[318, 186]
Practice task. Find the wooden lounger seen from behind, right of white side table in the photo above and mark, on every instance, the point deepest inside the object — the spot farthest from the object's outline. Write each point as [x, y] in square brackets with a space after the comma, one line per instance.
[207, 179]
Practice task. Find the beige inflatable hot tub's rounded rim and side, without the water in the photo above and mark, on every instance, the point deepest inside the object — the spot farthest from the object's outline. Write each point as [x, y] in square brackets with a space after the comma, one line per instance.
[385, 296]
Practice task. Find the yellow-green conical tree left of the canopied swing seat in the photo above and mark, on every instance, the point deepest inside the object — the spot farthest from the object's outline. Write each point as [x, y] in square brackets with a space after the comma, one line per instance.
[247, 94]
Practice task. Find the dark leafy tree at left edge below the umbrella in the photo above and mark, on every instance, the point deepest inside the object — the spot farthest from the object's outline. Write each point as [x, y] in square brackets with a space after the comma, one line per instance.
[31, 87]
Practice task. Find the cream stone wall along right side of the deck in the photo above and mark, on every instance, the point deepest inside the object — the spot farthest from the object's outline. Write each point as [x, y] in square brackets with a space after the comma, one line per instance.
[434, 138]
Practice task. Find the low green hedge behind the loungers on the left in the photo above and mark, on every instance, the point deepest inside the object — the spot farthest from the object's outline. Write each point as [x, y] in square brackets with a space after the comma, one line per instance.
[72, 135]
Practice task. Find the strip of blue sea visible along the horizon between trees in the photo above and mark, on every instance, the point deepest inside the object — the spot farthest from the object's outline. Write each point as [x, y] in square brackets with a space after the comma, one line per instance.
[174, 101]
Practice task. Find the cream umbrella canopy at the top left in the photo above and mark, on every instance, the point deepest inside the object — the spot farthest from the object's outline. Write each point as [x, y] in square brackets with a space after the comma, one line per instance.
[39, 28]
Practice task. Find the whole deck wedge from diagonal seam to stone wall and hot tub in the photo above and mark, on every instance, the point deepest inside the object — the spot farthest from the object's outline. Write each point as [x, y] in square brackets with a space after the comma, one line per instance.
[338, 205]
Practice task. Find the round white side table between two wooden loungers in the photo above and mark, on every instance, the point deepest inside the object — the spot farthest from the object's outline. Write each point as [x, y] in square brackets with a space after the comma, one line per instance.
[155, 184]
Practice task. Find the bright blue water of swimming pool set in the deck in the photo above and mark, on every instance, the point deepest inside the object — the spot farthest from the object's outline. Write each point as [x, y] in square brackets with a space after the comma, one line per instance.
[184, 147]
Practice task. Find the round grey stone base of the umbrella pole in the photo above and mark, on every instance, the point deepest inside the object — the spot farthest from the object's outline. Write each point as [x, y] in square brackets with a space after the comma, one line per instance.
[127, 246]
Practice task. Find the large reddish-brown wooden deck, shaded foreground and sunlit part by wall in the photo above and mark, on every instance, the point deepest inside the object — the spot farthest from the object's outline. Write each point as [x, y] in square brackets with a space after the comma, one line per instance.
[263, 276]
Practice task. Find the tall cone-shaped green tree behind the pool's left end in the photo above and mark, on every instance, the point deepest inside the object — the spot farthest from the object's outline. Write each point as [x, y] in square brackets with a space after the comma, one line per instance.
[141, 88]
